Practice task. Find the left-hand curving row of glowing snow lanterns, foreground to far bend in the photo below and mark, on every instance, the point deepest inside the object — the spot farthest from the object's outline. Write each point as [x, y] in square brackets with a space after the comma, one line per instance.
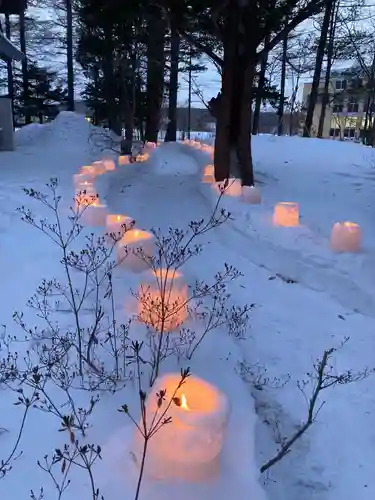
[199, 411]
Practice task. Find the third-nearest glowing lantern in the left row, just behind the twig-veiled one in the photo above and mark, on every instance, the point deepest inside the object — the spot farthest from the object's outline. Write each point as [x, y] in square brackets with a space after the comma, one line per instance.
[134, 249]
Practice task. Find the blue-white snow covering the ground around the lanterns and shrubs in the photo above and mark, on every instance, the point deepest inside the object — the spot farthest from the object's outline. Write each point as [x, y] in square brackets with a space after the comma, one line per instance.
[307, 299]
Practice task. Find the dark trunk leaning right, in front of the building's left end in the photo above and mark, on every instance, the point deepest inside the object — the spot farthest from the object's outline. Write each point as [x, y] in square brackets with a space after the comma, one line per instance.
[318, 69]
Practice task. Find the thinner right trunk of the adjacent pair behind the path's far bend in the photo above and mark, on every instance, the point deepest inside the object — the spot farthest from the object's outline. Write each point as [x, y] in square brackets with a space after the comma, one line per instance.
[171, 134]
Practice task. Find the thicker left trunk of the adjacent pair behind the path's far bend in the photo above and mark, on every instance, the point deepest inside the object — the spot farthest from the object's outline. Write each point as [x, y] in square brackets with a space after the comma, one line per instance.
[155, 72]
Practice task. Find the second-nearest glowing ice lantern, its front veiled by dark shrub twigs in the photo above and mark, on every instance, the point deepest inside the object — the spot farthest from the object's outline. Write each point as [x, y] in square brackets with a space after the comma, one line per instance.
[163, 301]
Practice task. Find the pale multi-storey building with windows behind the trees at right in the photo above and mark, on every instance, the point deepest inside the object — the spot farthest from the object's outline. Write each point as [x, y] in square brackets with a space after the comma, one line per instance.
[345, 114]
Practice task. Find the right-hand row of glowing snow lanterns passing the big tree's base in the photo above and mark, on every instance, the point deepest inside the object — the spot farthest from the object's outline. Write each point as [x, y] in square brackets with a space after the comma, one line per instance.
[345, 236]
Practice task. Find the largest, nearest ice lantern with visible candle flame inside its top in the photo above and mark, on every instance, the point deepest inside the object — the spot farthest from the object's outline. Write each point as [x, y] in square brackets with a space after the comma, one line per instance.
[188, 447]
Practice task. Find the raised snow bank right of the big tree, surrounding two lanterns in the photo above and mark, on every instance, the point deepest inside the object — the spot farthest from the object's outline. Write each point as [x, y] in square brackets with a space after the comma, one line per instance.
[331, 181]
